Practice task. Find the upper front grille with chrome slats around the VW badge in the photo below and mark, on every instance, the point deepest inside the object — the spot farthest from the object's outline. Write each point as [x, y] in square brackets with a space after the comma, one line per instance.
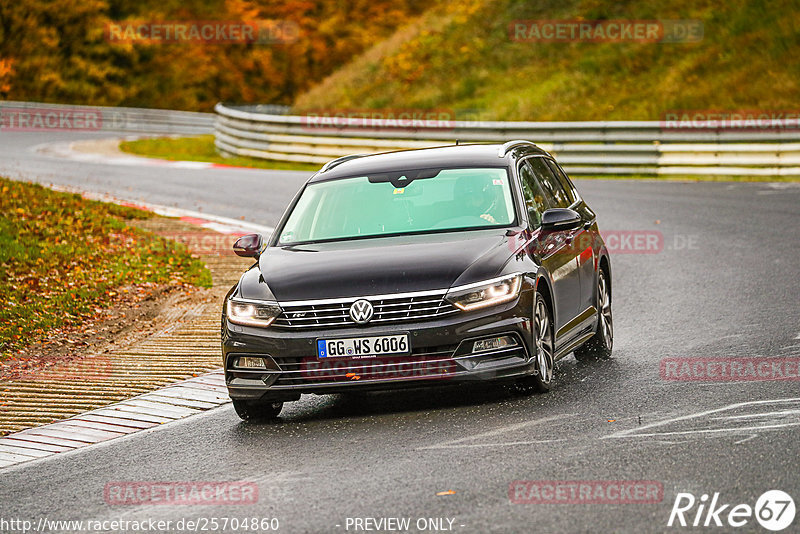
[336, 313]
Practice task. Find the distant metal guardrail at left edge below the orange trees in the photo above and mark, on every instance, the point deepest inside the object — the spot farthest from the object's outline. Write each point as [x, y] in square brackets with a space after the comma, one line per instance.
[34, 116]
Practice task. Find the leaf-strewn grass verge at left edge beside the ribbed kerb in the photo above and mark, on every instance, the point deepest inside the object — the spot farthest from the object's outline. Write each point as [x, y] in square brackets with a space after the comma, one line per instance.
[62, 257]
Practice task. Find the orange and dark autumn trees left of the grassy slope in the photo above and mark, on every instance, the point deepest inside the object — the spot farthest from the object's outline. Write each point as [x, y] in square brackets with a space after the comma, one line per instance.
[59, 50]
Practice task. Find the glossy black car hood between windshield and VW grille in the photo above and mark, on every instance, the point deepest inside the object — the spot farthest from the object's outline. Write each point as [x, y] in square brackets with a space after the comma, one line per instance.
[379, 266]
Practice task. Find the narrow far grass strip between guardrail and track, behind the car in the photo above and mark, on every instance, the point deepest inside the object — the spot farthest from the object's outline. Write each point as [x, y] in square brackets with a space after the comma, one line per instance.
[201, 148]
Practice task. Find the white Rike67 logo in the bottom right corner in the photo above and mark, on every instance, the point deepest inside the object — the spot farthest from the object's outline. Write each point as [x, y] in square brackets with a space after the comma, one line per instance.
[774, 510]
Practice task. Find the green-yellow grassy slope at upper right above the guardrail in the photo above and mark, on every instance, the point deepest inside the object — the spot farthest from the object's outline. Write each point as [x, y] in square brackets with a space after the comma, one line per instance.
[462, 57]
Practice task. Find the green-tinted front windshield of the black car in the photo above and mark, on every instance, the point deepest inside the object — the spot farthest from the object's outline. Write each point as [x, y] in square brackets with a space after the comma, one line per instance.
[433, 200]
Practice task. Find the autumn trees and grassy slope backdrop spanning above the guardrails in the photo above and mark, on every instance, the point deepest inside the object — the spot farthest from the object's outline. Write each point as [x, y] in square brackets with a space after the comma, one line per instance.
[408, 54]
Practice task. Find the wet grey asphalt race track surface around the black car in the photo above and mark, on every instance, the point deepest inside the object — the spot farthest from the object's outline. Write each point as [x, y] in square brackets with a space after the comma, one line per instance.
[724, 285]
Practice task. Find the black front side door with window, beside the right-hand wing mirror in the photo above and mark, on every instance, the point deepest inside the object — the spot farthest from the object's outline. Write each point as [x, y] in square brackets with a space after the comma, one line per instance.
[553, 248]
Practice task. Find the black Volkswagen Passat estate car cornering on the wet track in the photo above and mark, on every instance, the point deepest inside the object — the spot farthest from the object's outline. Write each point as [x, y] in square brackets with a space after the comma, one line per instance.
[417, 268]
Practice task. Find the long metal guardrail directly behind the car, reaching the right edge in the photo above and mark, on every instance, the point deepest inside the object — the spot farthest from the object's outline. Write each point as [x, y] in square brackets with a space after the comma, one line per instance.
[644, 147]
